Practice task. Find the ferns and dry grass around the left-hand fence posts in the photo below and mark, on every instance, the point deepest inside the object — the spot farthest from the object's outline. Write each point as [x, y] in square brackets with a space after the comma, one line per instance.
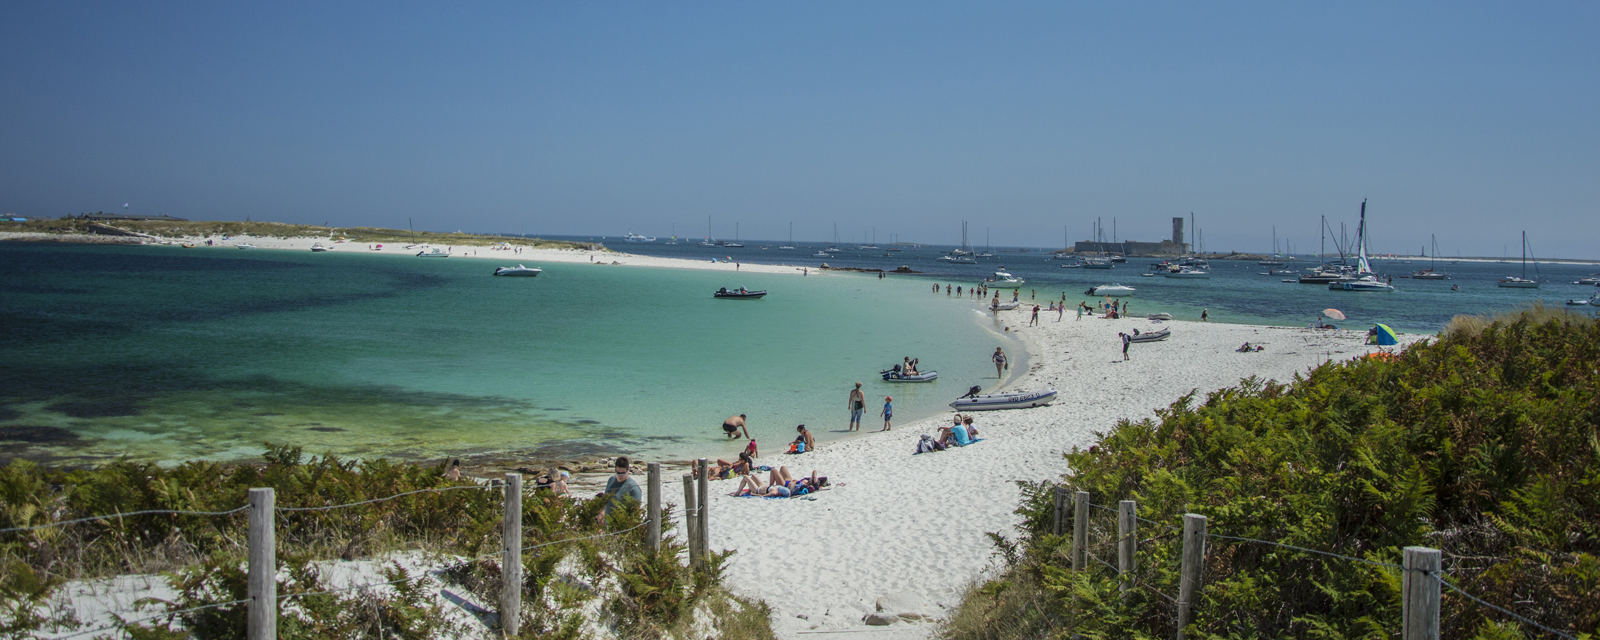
[583, 585]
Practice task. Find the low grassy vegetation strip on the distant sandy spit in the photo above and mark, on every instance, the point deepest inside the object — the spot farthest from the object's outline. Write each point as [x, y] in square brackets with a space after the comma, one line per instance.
[201, 230]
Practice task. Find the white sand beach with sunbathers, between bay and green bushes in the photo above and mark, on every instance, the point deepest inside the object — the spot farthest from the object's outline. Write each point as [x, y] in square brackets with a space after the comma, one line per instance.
[914, 529]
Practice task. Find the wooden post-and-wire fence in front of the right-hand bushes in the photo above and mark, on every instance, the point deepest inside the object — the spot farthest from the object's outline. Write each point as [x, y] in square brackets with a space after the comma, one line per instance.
[1423, 574]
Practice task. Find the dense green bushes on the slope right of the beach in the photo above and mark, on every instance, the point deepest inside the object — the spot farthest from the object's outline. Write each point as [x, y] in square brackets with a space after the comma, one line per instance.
[1482, 444]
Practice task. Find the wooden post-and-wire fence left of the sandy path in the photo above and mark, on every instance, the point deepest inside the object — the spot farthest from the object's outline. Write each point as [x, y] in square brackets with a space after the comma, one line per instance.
[263, 601]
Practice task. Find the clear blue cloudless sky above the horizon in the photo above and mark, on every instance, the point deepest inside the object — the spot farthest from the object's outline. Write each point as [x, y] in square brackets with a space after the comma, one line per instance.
[1463, 119]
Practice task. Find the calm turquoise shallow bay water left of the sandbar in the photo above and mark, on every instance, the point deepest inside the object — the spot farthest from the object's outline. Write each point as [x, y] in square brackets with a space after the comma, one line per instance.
[172, 354]
